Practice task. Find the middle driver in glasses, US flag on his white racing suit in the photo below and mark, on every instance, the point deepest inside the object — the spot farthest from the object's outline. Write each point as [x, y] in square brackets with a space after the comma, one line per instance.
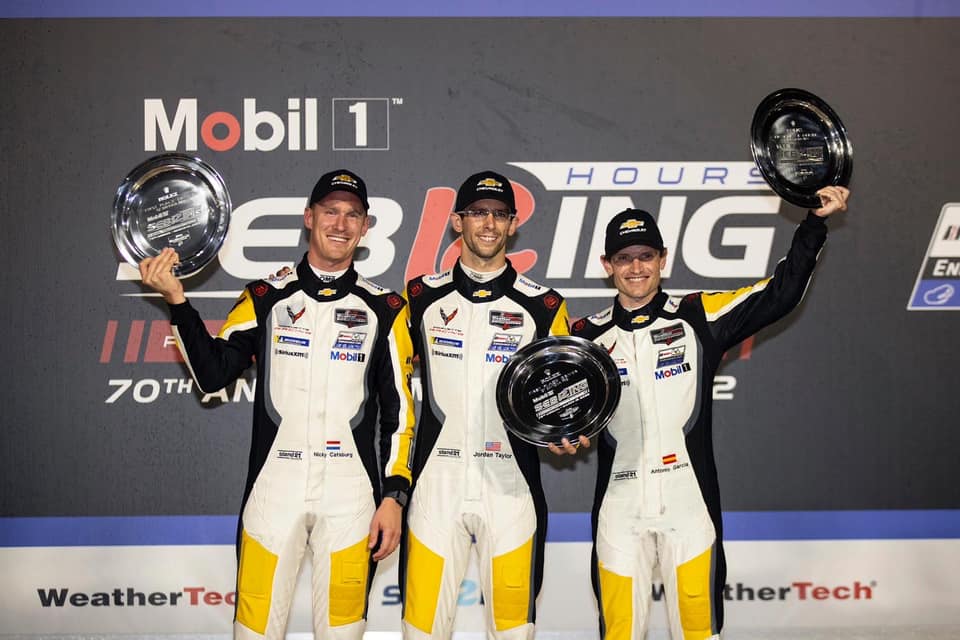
[474, 482]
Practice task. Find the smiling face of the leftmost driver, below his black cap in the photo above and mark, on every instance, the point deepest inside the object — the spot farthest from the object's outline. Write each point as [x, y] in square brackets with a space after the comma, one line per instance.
[336, 225]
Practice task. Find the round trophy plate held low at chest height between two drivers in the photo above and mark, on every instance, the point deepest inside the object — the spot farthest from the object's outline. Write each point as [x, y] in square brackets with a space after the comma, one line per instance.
[558, 387]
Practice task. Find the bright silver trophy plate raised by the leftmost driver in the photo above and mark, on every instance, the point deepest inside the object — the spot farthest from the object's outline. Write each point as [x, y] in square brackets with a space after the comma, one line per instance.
[171, 200]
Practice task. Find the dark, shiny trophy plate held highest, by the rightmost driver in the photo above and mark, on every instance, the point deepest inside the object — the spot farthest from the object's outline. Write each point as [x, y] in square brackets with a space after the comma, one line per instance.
[800, 146]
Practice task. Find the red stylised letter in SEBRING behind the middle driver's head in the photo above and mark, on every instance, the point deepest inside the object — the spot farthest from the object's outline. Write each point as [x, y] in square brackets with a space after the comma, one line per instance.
[434, 221]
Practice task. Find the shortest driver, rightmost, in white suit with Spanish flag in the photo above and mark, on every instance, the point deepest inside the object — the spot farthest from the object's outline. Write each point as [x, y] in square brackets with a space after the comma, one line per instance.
[657, 501]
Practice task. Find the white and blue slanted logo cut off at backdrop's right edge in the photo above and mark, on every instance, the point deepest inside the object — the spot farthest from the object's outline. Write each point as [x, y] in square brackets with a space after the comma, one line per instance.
[938, 283]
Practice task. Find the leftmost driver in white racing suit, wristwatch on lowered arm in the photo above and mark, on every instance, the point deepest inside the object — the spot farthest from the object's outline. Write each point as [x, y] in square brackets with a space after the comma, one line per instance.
[333, 359]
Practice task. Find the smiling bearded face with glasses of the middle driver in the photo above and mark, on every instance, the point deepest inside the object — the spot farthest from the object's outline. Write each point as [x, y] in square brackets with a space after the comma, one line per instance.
[484, 236]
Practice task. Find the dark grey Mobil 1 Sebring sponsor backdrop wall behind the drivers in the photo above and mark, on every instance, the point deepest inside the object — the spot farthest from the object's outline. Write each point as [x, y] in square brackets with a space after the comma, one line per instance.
[836, 430]
